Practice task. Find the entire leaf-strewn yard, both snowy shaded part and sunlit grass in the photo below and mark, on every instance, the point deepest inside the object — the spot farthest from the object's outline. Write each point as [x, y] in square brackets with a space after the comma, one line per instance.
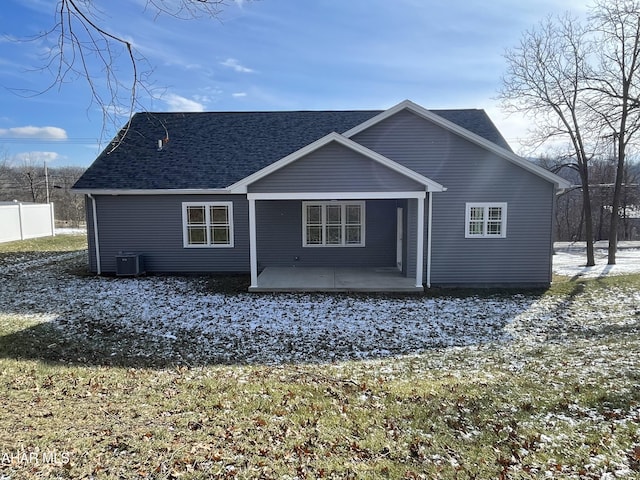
[487, 386]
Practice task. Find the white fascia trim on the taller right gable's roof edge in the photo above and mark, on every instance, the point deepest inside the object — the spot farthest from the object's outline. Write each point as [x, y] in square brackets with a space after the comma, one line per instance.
[464, 133]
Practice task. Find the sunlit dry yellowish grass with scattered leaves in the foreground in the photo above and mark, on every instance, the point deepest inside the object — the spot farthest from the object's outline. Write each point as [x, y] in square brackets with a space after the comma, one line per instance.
[561, 400]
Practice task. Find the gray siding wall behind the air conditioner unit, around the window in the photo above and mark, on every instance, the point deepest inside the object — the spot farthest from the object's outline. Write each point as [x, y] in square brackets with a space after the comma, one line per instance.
[152, 225]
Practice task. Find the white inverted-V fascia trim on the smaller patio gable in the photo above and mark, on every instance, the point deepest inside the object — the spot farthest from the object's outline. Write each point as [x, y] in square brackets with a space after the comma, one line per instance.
[241, 186]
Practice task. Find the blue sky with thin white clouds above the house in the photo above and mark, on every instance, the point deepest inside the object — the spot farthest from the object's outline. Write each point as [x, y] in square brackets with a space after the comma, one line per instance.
[267, 55]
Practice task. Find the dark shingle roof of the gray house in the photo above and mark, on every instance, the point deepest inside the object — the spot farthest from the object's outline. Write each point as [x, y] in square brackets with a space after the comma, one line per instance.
[217, 149]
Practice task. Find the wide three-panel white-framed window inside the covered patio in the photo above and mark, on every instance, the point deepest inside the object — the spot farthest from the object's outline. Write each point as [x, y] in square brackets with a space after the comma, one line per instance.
[333, 224]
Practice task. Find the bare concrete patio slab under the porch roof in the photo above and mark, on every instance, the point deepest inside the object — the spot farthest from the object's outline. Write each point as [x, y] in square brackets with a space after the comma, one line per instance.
[334, 279]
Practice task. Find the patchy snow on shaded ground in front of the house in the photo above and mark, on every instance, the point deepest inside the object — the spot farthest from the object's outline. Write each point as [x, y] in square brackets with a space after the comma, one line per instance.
[181, 320]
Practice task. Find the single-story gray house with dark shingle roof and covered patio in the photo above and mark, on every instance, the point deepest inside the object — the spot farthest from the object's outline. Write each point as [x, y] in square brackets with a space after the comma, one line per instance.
[411, 196]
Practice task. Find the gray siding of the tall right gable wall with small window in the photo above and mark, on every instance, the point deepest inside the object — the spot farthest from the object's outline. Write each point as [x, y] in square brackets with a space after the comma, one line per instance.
[472, 174]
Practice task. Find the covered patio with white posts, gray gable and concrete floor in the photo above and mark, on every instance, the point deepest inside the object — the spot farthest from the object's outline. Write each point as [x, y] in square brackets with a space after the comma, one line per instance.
[337, 169]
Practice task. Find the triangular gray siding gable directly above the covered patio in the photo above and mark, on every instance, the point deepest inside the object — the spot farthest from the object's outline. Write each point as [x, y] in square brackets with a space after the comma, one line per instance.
[335, 168]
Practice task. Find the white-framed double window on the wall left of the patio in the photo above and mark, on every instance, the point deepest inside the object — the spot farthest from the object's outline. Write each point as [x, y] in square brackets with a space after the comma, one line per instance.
[207, 224]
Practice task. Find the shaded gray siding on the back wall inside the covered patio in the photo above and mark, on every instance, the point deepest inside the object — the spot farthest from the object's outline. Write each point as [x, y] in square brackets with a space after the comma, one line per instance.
[279, 233]
